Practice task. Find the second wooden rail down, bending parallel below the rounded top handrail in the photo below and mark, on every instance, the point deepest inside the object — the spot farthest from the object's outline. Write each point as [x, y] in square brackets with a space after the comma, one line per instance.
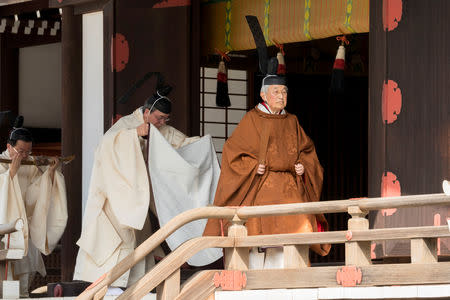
[175, 259]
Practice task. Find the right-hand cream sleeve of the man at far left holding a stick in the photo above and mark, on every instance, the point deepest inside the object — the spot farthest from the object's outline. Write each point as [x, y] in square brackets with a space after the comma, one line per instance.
[46, 203]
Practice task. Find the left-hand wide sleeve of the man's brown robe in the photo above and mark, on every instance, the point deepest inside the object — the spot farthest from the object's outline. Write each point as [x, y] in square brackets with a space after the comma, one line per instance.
[238, 180]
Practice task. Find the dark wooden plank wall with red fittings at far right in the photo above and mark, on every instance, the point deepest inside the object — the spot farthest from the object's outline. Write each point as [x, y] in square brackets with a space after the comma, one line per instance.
[415, 147]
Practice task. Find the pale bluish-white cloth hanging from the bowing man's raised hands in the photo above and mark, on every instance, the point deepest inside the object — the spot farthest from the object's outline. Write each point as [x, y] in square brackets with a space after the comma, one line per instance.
[184, 179]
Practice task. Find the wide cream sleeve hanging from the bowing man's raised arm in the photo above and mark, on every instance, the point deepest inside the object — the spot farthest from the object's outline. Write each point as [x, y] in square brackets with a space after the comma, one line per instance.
[123, 177]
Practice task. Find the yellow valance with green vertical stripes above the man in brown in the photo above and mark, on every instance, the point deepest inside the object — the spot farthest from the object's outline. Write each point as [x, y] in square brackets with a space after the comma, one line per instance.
[283, 21]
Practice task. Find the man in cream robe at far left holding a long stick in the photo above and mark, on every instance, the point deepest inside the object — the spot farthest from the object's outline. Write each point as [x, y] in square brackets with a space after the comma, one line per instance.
[37, 195]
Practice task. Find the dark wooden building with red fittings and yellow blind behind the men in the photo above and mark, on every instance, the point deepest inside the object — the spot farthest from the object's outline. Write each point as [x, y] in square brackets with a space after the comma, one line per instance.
[389, 134]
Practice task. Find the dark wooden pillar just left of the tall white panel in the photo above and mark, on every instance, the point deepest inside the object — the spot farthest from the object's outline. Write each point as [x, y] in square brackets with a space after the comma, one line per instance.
[71, 127]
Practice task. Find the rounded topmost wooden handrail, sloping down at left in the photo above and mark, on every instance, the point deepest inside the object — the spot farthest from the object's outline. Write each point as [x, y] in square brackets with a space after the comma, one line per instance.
[255, 211]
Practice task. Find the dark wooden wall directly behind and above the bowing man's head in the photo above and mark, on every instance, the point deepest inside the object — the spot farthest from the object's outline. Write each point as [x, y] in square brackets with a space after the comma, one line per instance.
[158, 39]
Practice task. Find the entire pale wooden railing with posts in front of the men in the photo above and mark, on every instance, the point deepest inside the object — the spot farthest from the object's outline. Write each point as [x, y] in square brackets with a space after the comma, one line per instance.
[296, 273]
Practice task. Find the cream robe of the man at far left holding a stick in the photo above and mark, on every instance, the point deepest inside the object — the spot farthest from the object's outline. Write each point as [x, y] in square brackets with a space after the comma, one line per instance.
[42, 205]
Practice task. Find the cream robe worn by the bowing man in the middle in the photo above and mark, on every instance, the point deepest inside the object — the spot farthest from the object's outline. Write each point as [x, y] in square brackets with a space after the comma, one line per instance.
[116, 216]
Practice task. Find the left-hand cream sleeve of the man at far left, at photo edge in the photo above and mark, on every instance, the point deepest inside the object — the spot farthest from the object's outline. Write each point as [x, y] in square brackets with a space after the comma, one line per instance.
[11, 208]
